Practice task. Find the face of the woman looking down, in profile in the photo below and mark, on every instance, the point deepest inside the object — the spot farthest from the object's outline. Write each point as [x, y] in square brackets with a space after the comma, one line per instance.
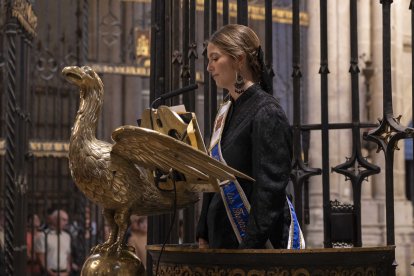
[222, 67]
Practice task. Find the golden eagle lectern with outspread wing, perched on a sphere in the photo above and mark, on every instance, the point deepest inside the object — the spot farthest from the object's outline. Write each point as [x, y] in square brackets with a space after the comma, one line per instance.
[120, 177]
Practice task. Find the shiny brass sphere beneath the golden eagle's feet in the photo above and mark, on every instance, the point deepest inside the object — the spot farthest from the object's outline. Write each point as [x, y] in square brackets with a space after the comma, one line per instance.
[124, 263]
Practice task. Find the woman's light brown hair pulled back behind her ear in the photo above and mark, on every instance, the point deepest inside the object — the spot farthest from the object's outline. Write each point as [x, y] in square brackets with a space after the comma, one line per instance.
[235, 40]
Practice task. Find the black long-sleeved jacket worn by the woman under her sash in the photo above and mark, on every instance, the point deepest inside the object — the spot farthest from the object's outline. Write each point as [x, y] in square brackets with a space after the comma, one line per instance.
[257, 140]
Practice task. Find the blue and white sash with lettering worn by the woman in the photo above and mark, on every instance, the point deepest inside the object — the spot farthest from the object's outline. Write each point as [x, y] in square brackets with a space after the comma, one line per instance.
[234, 199]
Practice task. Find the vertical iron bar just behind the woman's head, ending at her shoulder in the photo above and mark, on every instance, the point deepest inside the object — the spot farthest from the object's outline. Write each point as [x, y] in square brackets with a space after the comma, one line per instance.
[268, 39]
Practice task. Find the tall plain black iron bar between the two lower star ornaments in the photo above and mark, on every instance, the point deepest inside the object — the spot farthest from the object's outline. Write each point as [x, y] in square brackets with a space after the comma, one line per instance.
[324, 71]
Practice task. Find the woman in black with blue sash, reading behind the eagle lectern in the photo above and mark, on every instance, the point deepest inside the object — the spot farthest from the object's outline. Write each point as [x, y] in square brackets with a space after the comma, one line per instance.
[251, 134]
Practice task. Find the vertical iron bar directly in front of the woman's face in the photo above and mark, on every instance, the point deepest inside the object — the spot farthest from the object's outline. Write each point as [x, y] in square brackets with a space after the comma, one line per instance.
[207, 78]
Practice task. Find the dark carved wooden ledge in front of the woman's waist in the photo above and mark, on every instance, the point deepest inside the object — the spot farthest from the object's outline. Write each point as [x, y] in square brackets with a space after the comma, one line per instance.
[189, 260]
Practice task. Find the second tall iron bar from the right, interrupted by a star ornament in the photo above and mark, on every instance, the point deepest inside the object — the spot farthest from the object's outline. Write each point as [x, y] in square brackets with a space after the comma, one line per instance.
[356, 144]
